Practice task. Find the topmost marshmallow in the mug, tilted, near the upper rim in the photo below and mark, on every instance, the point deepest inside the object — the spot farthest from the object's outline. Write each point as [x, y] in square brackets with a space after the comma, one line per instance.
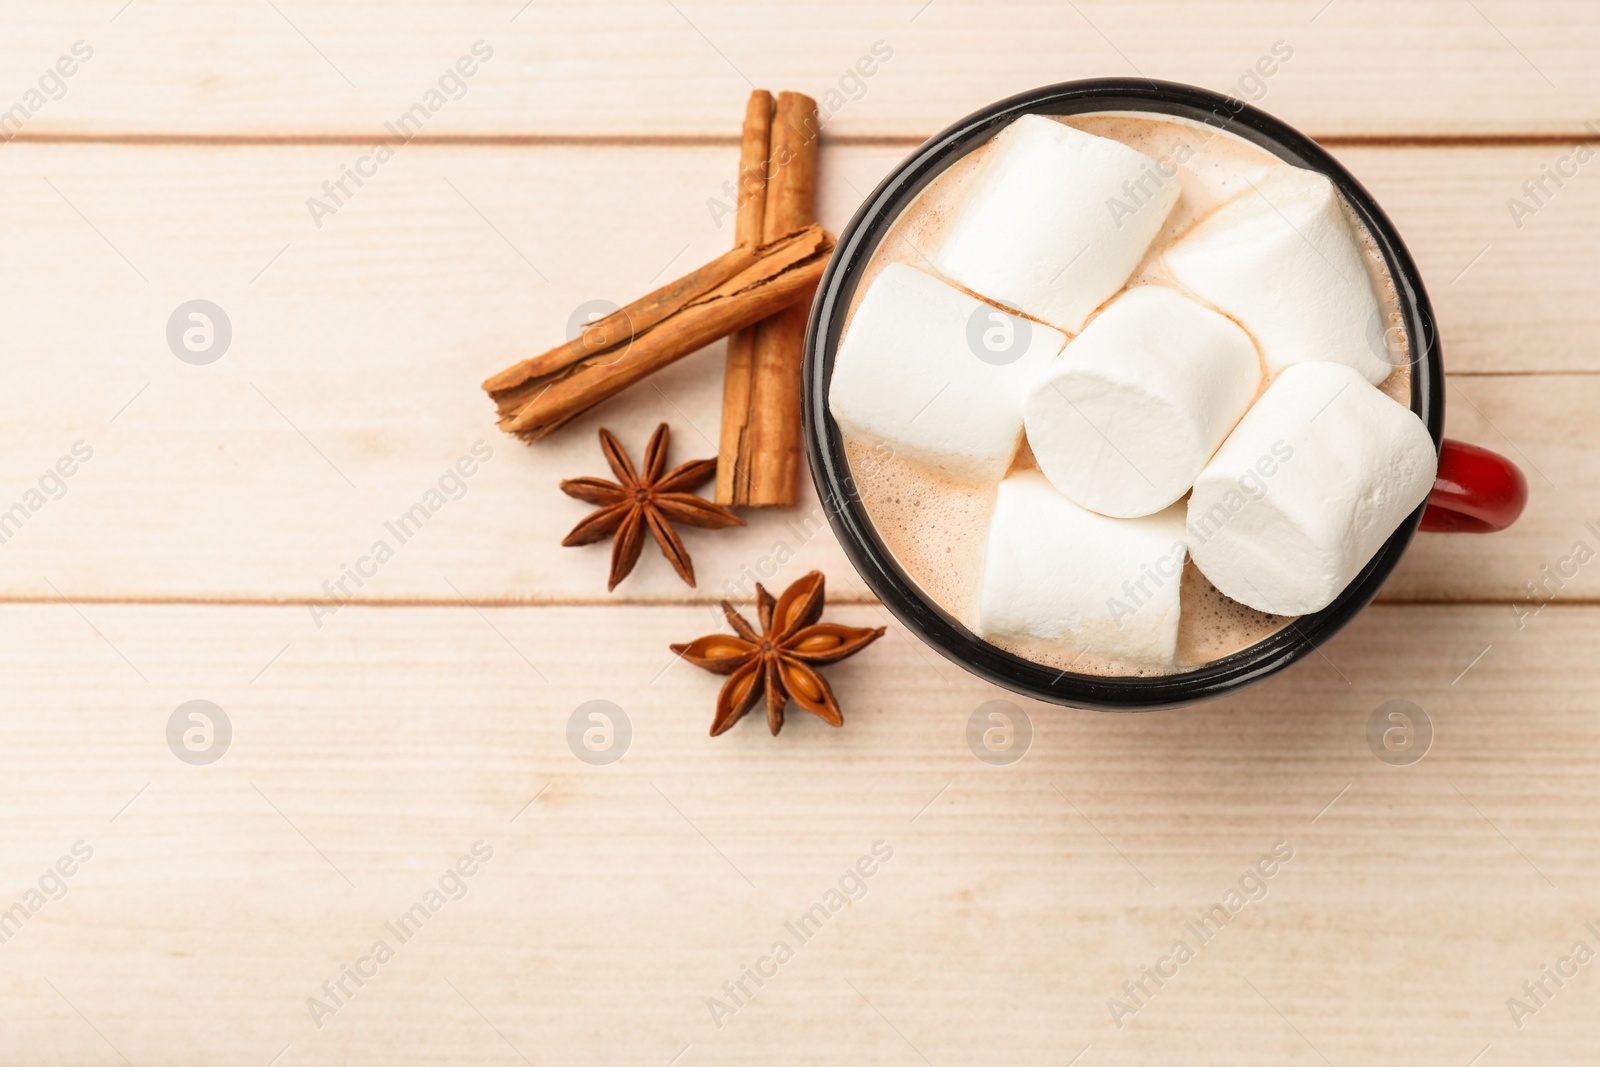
[1055, 222]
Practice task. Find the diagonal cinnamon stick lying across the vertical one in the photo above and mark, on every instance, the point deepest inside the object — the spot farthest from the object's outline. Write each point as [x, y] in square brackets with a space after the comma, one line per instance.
[735, 290]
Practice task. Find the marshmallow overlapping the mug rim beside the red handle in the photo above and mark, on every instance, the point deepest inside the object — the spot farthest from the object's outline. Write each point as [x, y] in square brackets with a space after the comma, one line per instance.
[1308, 489]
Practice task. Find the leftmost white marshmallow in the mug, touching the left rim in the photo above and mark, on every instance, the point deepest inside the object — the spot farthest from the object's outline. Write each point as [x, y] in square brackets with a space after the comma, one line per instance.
[938, 375]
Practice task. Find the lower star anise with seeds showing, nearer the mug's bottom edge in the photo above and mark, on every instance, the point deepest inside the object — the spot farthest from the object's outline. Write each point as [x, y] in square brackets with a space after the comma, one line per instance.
[782, 660]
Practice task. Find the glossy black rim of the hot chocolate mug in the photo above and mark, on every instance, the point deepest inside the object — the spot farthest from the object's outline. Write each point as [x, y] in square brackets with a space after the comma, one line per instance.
[831, 468]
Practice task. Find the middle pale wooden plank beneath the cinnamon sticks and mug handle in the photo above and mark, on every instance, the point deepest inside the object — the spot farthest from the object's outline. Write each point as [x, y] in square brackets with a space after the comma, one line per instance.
[351, 382]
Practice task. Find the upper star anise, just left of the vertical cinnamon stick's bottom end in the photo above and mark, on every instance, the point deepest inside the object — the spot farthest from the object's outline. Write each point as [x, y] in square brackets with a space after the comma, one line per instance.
[655, 500]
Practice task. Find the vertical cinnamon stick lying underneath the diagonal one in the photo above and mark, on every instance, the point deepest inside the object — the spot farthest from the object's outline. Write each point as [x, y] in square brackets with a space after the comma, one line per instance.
[761, 417]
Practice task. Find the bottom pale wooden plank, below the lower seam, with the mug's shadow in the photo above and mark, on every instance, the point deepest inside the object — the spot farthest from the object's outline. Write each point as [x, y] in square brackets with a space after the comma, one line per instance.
[367, 759]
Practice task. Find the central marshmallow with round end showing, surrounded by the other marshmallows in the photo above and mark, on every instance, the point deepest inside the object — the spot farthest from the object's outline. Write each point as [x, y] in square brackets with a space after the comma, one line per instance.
[1134, 409]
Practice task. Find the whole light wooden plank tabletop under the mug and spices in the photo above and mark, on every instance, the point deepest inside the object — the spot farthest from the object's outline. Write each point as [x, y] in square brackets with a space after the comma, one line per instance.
[369, 754]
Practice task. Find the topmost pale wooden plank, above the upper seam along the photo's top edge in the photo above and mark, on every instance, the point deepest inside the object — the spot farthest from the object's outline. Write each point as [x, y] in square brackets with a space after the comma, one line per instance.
[630, 68]
